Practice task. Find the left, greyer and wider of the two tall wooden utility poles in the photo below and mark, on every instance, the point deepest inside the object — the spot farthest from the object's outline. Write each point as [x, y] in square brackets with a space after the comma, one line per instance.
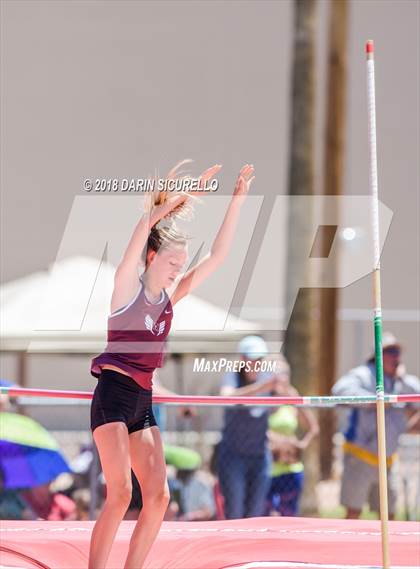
[300, 339]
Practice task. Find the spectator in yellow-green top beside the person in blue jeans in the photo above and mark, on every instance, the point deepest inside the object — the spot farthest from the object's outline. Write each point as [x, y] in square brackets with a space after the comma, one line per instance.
[287, 470]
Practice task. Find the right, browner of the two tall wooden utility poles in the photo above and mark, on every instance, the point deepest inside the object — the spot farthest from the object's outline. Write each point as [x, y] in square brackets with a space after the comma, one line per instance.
[333, 185]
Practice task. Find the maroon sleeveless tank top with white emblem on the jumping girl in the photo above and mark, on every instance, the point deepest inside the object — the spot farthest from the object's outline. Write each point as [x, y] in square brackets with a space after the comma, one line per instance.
[136, 337]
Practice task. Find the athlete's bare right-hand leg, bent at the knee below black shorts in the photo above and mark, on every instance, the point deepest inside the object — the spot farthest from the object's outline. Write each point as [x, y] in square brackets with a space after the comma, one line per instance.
[148, 463]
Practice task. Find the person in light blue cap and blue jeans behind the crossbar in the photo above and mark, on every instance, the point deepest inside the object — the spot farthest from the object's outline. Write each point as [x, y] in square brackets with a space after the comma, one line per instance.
[243, 455]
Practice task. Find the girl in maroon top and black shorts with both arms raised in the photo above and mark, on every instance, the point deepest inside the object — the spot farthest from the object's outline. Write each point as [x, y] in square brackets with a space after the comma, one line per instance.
[122, 421]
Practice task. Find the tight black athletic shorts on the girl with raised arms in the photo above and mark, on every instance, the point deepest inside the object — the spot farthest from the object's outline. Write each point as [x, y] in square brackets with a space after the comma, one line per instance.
[117, 397]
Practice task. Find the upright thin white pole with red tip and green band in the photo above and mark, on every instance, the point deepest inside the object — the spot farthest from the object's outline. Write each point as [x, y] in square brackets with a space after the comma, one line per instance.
[380, 402]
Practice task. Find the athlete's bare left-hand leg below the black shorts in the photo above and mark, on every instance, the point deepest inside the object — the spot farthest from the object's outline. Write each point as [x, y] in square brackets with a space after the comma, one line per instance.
[113, 447]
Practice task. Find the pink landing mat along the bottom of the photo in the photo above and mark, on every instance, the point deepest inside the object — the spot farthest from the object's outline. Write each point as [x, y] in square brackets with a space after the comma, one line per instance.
[253, 543]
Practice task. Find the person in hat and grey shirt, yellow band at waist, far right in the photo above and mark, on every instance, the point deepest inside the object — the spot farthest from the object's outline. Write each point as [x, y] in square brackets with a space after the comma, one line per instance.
[360, 482]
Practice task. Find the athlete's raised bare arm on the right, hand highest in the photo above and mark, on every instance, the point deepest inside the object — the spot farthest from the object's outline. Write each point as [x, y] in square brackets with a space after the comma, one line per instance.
[222, 243]
